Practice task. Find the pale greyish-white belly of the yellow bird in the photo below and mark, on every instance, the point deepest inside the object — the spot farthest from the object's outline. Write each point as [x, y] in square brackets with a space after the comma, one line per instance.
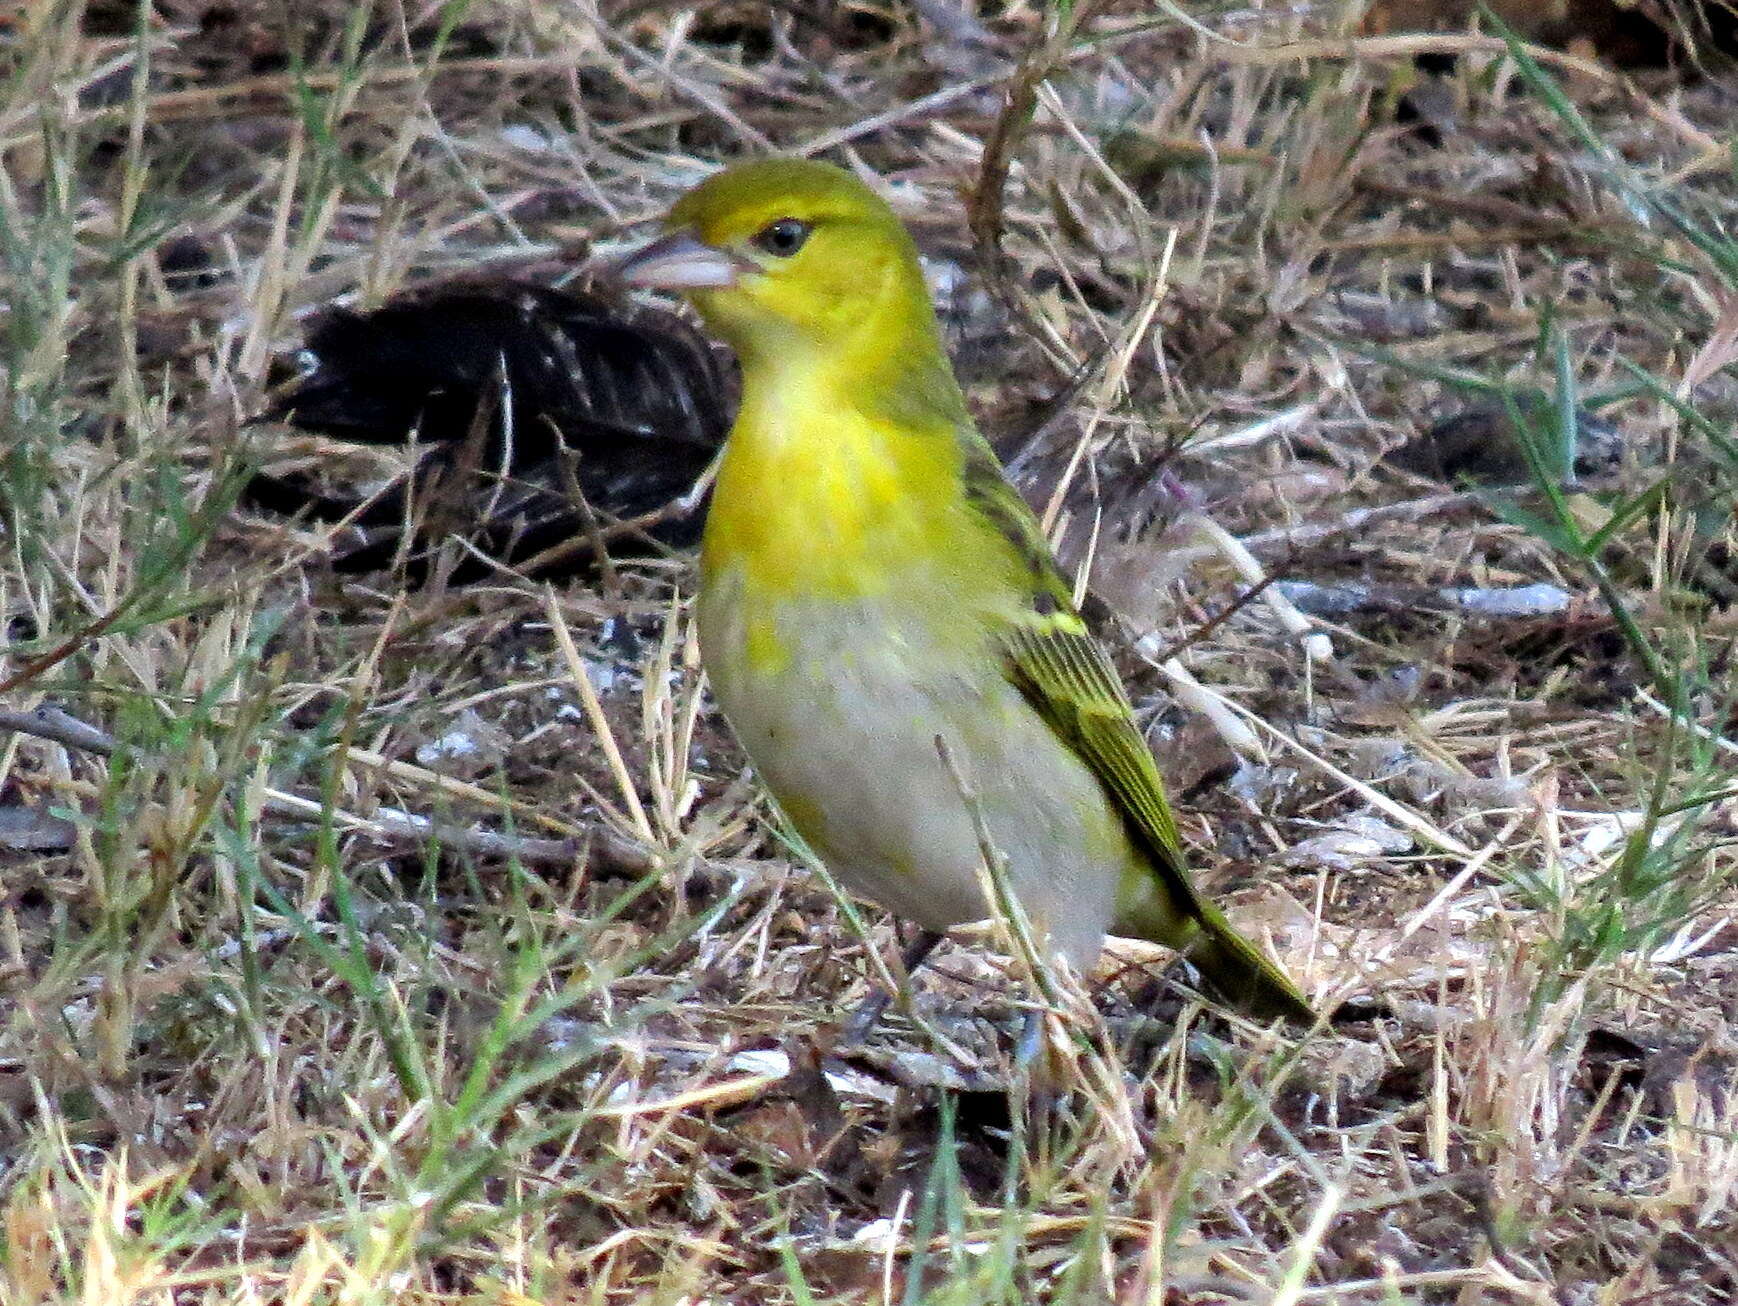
[840, 714]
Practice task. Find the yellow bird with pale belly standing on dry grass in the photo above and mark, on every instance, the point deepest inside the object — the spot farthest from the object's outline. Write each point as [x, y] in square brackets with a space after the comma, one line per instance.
[872, 583]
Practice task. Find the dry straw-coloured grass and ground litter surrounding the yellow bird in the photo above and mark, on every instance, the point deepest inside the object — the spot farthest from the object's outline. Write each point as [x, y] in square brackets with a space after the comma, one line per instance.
[263, 1037]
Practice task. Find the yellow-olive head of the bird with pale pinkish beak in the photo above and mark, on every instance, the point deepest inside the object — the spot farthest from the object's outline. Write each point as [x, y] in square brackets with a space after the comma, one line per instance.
[788, 257]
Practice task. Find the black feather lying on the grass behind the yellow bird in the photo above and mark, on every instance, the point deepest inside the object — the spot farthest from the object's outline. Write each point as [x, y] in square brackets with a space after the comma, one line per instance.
[498, 380]
